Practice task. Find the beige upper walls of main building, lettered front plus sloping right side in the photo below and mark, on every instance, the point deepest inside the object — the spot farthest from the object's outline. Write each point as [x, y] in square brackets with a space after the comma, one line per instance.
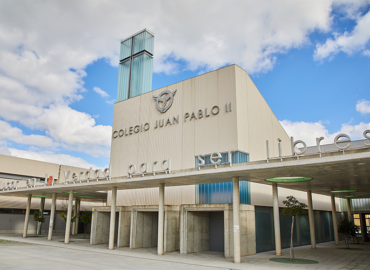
[247, 127]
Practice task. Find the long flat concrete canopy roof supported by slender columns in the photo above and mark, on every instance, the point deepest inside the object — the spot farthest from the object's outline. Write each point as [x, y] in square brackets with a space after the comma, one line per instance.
[332, 171]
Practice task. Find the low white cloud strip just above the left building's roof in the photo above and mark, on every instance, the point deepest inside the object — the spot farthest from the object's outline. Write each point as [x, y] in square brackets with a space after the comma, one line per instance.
[52, 158]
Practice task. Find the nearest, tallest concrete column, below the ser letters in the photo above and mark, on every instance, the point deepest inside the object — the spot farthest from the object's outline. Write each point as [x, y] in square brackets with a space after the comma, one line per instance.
[236, 219]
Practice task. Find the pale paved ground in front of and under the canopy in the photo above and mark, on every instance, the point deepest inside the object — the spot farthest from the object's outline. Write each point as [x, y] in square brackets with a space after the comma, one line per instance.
[38, 253]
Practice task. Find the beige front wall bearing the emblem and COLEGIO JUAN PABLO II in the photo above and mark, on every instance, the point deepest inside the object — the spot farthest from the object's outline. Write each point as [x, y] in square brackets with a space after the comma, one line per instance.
[179, 142]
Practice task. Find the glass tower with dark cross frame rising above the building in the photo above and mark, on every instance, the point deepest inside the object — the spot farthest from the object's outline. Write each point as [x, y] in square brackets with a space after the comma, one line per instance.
[136, 65]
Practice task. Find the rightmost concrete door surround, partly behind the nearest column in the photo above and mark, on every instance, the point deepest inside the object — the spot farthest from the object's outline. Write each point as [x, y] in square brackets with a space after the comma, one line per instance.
[194, 228]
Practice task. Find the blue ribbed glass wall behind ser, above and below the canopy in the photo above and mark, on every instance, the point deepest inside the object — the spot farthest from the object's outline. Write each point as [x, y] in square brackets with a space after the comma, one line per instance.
[222, 192]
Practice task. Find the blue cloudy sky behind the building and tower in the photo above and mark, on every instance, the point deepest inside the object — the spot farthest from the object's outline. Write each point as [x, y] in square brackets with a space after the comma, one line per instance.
[59, 65]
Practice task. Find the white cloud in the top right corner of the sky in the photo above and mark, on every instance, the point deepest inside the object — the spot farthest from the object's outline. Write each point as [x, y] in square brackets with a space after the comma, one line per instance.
[348, 42]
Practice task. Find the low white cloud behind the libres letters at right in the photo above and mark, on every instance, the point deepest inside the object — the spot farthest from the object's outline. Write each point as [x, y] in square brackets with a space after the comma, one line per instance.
[309, 131]
